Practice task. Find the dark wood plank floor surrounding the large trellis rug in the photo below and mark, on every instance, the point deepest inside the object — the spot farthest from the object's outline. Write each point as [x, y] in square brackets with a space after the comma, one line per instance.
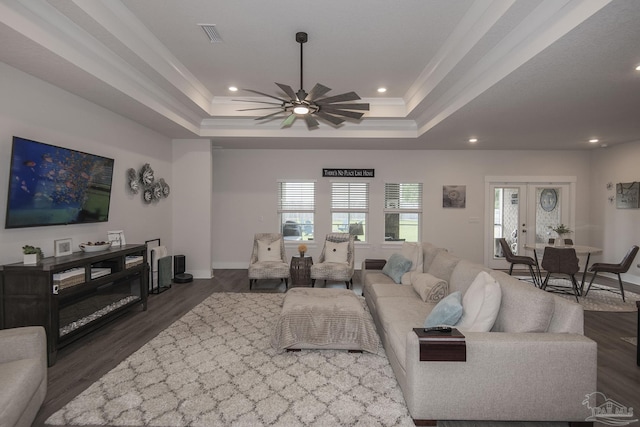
[83, 362]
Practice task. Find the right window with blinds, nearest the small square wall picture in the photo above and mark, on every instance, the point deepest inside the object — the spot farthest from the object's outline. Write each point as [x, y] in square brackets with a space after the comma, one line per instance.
[402, 211]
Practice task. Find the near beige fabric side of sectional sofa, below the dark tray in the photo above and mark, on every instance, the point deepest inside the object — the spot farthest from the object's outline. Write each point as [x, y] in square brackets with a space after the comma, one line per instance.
[511, 374]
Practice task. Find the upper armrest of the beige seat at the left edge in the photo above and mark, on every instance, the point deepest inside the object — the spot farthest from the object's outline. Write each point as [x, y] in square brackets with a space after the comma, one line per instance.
[23, 343]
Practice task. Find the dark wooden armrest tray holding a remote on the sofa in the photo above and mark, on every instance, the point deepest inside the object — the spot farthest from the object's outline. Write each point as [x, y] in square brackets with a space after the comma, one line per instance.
[441, 346]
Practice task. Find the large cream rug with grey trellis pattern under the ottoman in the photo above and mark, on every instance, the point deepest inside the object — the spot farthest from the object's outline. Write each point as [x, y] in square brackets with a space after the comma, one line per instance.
[215, 367]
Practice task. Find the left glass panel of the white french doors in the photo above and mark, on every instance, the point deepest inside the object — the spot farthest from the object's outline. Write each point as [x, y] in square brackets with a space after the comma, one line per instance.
[505, 218]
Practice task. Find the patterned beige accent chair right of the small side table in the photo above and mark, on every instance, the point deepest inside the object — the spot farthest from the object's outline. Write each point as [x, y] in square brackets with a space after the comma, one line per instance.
[335, 271]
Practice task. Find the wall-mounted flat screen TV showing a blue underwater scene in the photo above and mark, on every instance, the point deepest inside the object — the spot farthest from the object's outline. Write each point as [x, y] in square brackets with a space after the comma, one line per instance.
[52, 185]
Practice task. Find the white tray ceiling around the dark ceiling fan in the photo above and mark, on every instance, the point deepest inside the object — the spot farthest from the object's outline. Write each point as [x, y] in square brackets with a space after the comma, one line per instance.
[516, 74]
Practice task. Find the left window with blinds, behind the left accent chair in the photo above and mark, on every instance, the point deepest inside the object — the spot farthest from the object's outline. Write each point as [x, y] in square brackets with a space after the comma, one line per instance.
[296, 209]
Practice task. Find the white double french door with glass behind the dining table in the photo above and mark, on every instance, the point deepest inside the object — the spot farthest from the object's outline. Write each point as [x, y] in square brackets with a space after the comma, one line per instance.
[523, 213]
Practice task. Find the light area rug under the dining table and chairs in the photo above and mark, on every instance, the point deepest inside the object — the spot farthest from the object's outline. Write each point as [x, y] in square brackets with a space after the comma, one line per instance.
[597, 299]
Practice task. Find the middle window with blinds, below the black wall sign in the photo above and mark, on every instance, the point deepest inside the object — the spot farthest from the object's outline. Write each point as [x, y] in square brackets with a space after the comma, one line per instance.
[349, 208]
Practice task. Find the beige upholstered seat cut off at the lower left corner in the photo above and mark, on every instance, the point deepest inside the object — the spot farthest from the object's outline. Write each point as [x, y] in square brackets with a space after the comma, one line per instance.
[23, 374]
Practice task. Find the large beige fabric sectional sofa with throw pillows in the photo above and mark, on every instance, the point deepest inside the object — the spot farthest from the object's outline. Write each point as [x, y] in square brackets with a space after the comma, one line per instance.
[535, 364]
